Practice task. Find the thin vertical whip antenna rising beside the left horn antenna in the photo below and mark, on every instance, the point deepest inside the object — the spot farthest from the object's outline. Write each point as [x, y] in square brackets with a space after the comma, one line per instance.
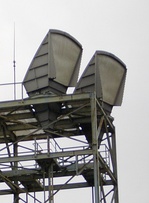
[14, 64]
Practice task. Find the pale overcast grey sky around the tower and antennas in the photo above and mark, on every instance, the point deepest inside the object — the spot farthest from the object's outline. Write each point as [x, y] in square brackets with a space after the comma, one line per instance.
[117, 26]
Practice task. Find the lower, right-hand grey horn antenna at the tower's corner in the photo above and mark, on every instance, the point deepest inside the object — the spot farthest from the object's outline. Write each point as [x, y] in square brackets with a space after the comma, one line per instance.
[105, 74]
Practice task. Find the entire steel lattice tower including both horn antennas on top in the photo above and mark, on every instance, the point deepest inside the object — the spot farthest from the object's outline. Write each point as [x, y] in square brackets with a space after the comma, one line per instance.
[51, 137]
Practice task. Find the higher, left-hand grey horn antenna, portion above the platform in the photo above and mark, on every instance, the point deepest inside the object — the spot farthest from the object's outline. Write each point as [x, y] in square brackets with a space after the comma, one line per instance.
[55, 65]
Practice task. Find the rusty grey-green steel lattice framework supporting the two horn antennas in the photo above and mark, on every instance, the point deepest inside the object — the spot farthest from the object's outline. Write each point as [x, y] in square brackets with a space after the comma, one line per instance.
[81, 142]
